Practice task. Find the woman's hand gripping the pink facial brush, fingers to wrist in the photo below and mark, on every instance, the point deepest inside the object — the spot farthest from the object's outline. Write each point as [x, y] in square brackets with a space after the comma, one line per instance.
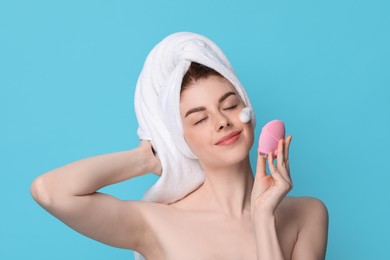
[269, 190]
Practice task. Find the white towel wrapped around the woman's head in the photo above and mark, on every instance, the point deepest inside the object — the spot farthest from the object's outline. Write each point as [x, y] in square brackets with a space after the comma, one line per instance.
[157, 107]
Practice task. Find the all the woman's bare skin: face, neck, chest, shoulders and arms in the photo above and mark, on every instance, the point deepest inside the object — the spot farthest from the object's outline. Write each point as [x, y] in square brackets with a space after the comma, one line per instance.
[233, 215]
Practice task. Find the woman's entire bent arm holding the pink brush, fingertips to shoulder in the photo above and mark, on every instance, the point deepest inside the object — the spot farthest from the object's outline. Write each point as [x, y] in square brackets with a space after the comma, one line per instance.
[267, 194]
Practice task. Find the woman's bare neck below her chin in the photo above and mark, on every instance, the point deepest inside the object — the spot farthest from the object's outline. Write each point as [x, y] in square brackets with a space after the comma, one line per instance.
[228, 189]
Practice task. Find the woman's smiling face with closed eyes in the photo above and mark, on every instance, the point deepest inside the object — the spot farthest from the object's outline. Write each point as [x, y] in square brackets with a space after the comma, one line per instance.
[210, 111]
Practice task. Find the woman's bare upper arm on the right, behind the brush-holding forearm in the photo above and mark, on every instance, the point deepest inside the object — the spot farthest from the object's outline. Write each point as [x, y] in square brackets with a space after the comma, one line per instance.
[313, 234]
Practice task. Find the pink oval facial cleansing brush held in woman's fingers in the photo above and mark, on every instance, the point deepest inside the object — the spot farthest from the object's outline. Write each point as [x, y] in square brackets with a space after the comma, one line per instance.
[270, 135]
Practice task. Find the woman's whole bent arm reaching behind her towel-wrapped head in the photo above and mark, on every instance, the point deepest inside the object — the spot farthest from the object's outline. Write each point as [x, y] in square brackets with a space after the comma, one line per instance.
[69, 193]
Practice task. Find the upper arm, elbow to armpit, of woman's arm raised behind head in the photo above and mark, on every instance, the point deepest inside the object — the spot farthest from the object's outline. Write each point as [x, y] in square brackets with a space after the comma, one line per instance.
[99, 216]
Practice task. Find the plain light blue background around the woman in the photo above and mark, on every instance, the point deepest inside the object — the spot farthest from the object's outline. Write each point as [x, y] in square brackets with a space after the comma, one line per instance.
[68, 70]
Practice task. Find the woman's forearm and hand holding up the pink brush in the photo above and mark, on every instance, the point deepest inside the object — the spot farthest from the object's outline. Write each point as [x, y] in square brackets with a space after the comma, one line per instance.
[268, 192]
